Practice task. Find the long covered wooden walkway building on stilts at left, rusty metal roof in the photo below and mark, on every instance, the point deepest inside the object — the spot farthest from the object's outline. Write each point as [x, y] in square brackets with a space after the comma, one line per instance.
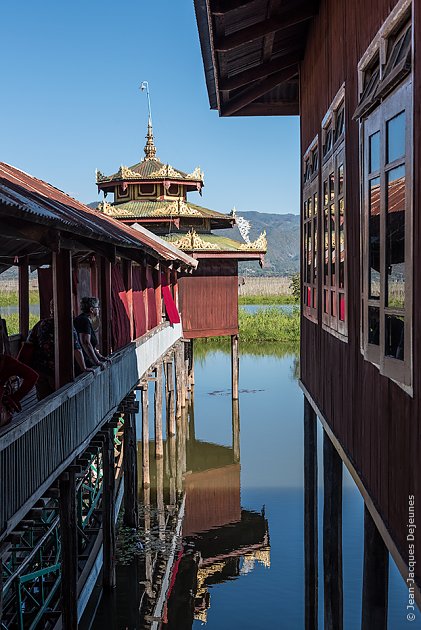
[60, 462]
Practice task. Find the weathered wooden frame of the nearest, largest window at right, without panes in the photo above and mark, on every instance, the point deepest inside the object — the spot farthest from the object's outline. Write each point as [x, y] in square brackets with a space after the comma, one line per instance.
[400, 100]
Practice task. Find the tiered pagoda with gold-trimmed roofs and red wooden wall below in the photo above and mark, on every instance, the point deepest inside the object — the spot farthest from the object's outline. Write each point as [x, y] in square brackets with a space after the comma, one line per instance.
[154, 194]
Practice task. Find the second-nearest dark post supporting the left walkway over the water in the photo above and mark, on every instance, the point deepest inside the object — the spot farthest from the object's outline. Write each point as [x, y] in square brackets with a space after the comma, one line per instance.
[108, 511]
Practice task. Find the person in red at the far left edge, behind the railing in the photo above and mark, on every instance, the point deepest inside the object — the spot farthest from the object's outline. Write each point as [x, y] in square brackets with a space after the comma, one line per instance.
[13, 390]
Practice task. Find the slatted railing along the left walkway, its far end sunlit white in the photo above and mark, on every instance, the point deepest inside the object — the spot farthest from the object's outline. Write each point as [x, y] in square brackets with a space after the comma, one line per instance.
[38, 446]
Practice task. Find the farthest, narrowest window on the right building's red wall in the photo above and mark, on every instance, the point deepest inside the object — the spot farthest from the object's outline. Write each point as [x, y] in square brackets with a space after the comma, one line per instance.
[310, 230]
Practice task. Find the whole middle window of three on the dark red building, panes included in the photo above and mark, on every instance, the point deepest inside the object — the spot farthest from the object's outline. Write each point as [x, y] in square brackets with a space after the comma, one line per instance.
[334, 277]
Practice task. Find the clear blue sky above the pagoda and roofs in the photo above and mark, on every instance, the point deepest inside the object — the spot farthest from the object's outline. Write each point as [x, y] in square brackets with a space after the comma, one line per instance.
[71, 103]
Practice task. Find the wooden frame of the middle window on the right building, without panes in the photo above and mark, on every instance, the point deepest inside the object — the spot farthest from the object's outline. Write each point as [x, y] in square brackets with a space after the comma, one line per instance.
[333, 159]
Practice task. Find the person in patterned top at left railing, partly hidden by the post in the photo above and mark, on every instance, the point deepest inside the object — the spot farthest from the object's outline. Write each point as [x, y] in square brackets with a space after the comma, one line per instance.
[43, 355]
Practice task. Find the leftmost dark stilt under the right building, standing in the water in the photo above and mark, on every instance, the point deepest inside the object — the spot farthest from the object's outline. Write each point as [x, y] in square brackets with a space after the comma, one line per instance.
[310, 517]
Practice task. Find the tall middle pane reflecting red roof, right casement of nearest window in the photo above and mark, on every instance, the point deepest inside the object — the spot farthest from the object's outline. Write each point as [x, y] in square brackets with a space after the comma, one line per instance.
[395, 238]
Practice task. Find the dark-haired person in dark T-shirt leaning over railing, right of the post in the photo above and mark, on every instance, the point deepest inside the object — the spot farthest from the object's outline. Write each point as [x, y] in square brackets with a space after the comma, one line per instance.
[84, 325]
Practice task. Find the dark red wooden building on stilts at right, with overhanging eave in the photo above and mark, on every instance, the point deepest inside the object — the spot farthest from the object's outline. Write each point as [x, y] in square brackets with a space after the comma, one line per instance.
[352, 72]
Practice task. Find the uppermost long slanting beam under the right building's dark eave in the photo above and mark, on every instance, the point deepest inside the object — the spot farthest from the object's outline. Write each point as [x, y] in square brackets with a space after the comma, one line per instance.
[283, 21]
